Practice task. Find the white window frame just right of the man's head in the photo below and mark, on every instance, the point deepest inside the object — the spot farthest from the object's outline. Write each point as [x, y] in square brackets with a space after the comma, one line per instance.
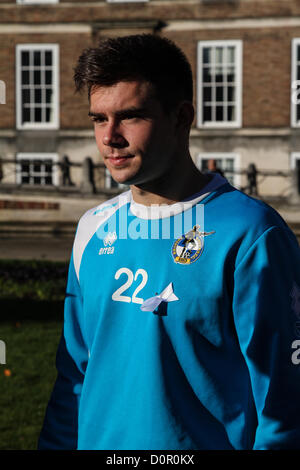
[237, 123]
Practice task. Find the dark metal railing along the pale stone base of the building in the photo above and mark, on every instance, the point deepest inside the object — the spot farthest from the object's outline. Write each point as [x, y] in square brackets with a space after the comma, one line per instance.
[91, 177]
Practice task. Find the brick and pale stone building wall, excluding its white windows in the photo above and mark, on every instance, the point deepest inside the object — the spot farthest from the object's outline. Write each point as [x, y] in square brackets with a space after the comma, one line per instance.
[266, 28]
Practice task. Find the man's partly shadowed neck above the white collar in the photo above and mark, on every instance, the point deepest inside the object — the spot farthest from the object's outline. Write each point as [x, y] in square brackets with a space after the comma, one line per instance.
[173, 187]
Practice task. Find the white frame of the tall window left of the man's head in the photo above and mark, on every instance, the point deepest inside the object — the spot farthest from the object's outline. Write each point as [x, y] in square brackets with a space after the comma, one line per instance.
[54, 124]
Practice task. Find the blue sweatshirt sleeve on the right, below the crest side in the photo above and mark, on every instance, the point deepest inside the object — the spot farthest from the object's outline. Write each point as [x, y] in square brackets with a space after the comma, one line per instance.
[265, 314]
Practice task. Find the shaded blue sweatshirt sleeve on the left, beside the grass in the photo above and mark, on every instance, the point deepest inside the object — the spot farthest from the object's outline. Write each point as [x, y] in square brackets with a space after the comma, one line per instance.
[61, 421]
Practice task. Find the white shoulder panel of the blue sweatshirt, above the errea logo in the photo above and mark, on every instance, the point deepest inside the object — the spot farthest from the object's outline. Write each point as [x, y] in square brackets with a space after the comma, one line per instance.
[91, 221]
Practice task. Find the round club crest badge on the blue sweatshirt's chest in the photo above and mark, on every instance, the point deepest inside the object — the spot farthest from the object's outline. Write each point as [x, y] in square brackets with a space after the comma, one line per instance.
[189, 247]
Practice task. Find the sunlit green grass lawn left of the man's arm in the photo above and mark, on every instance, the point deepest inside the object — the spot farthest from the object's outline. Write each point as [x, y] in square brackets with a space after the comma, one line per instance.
[30, 351]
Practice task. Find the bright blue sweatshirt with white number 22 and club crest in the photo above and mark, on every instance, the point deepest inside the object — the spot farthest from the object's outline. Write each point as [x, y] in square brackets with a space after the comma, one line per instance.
[180, 328]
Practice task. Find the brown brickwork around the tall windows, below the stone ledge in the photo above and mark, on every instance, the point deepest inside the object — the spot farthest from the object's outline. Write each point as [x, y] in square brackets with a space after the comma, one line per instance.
[266, 71]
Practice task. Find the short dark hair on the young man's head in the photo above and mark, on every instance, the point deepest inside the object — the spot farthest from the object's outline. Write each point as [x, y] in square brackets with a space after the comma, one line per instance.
[147, 57]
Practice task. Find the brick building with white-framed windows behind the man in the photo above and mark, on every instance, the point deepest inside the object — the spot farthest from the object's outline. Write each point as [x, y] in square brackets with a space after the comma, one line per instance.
[245, 56]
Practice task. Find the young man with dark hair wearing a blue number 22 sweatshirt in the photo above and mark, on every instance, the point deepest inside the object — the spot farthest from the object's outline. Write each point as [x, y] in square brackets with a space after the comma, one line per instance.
[176, 336]
